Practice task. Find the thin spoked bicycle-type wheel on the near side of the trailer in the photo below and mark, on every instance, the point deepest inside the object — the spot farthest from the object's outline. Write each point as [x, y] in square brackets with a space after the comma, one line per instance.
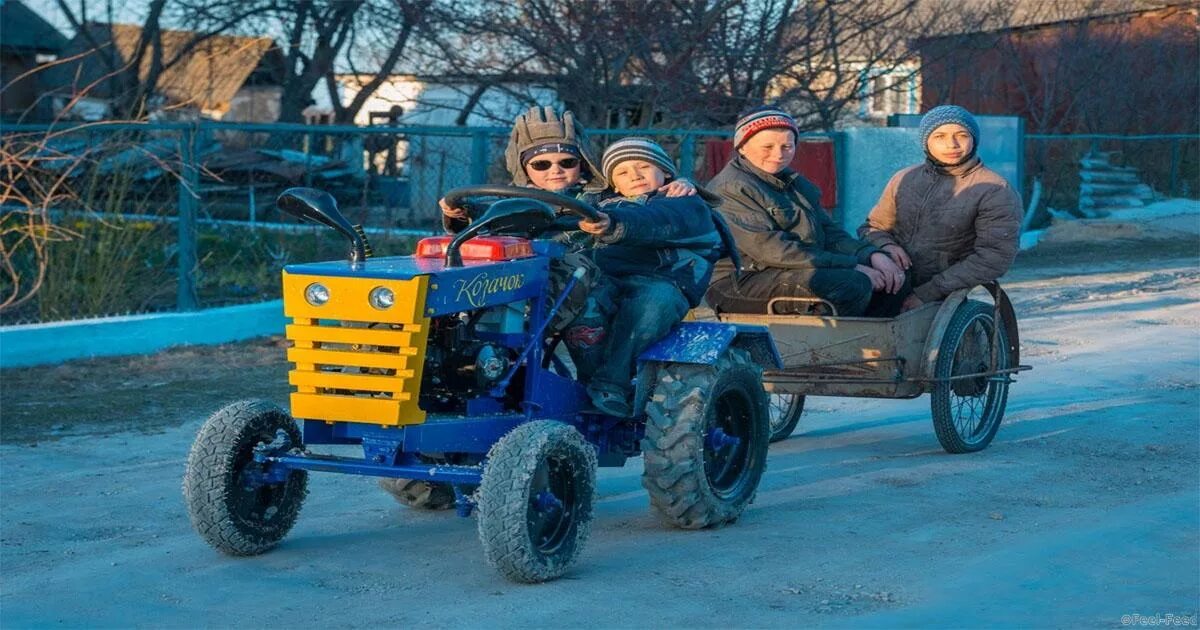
[968, 411]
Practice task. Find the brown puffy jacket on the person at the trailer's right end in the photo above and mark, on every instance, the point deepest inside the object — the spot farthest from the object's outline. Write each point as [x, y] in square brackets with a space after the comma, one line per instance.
[961, 225]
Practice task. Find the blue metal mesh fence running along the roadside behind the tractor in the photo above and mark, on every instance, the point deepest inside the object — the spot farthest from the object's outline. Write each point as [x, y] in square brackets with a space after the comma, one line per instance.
[181, 217]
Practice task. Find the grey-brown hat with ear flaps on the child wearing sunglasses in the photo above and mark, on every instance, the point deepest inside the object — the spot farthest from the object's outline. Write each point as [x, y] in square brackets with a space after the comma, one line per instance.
[542, 125]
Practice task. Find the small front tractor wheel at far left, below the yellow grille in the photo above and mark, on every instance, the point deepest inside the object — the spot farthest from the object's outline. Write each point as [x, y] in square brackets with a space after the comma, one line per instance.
[232, 515]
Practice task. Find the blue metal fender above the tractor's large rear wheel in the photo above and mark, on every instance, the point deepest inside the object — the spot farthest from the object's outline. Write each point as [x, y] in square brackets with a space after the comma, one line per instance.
[704, 343]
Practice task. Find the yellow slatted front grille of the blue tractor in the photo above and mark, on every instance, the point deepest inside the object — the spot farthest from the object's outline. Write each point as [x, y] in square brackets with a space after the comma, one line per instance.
[355, 371]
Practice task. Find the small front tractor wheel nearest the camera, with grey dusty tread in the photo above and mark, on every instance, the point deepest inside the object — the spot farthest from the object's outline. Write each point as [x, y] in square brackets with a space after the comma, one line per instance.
[536, 501]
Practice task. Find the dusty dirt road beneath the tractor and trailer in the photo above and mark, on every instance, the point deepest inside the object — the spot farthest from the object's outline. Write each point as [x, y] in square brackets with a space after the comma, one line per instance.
[1085, 509]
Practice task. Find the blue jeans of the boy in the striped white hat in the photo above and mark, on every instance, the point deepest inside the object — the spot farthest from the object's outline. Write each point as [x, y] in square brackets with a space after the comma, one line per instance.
[645, 310]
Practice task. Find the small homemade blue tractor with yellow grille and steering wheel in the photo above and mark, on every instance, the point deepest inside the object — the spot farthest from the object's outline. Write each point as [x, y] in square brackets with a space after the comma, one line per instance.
[446, 369]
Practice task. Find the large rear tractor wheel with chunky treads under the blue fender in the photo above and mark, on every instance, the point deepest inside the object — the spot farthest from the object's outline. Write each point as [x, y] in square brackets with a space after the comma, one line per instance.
[706, 441]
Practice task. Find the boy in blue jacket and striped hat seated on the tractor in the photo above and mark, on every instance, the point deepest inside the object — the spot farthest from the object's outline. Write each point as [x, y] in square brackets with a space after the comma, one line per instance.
[658, 254]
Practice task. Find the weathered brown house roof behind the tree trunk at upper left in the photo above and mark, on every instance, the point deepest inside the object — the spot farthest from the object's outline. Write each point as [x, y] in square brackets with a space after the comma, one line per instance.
[208, 76]
